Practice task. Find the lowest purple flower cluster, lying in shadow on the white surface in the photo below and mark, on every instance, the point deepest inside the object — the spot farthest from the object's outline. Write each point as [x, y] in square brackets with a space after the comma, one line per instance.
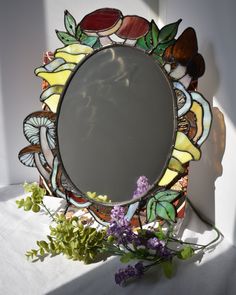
[129, 272]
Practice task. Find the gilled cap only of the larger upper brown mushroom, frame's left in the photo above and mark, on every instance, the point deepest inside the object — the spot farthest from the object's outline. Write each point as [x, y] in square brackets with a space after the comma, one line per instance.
[32, 125]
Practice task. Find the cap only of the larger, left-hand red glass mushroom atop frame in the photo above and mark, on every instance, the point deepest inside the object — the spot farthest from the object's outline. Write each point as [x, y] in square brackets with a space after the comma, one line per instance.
[101, 20]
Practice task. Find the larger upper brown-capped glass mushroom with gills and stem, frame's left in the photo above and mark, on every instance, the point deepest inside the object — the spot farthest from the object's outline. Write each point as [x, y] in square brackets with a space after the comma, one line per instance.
[39, 128]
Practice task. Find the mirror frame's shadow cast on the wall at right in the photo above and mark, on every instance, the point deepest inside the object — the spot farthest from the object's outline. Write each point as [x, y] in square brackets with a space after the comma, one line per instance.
[204, 173]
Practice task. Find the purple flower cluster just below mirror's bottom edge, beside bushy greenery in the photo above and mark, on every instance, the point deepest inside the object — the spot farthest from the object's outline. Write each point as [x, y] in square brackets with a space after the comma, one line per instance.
[120, 227]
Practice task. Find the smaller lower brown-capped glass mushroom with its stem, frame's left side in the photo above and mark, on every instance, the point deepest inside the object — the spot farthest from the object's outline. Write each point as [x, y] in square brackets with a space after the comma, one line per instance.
[32, 156]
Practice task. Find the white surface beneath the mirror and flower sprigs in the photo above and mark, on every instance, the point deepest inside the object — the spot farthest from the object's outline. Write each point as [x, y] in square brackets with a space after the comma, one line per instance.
[215, 275]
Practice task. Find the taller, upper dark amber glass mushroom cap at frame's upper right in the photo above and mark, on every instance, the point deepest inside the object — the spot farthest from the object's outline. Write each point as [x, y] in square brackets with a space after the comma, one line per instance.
[185, 47]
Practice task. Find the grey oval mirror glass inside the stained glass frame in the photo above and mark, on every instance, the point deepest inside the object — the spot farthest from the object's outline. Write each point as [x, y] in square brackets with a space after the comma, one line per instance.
[116, 121]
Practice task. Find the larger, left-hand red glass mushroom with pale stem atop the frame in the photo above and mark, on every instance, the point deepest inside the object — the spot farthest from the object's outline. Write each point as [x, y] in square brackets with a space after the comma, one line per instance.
[102, 23]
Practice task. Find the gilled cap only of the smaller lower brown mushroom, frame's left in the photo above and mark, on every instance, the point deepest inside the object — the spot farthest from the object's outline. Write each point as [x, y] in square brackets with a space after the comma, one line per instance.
[26, 155]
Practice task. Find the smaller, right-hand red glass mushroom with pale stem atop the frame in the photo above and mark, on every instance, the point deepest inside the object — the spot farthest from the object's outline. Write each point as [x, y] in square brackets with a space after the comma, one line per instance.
[133, 27]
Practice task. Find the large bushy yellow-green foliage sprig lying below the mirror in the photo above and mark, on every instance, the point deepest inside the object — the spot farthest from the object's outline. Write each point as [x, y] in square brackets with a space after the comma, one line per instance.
[72, 239]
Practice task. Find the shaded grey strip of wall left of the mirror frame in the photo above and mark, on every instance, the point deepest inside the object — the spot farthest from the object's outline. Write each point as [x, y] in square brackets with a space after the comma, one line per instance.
[22, 43]
